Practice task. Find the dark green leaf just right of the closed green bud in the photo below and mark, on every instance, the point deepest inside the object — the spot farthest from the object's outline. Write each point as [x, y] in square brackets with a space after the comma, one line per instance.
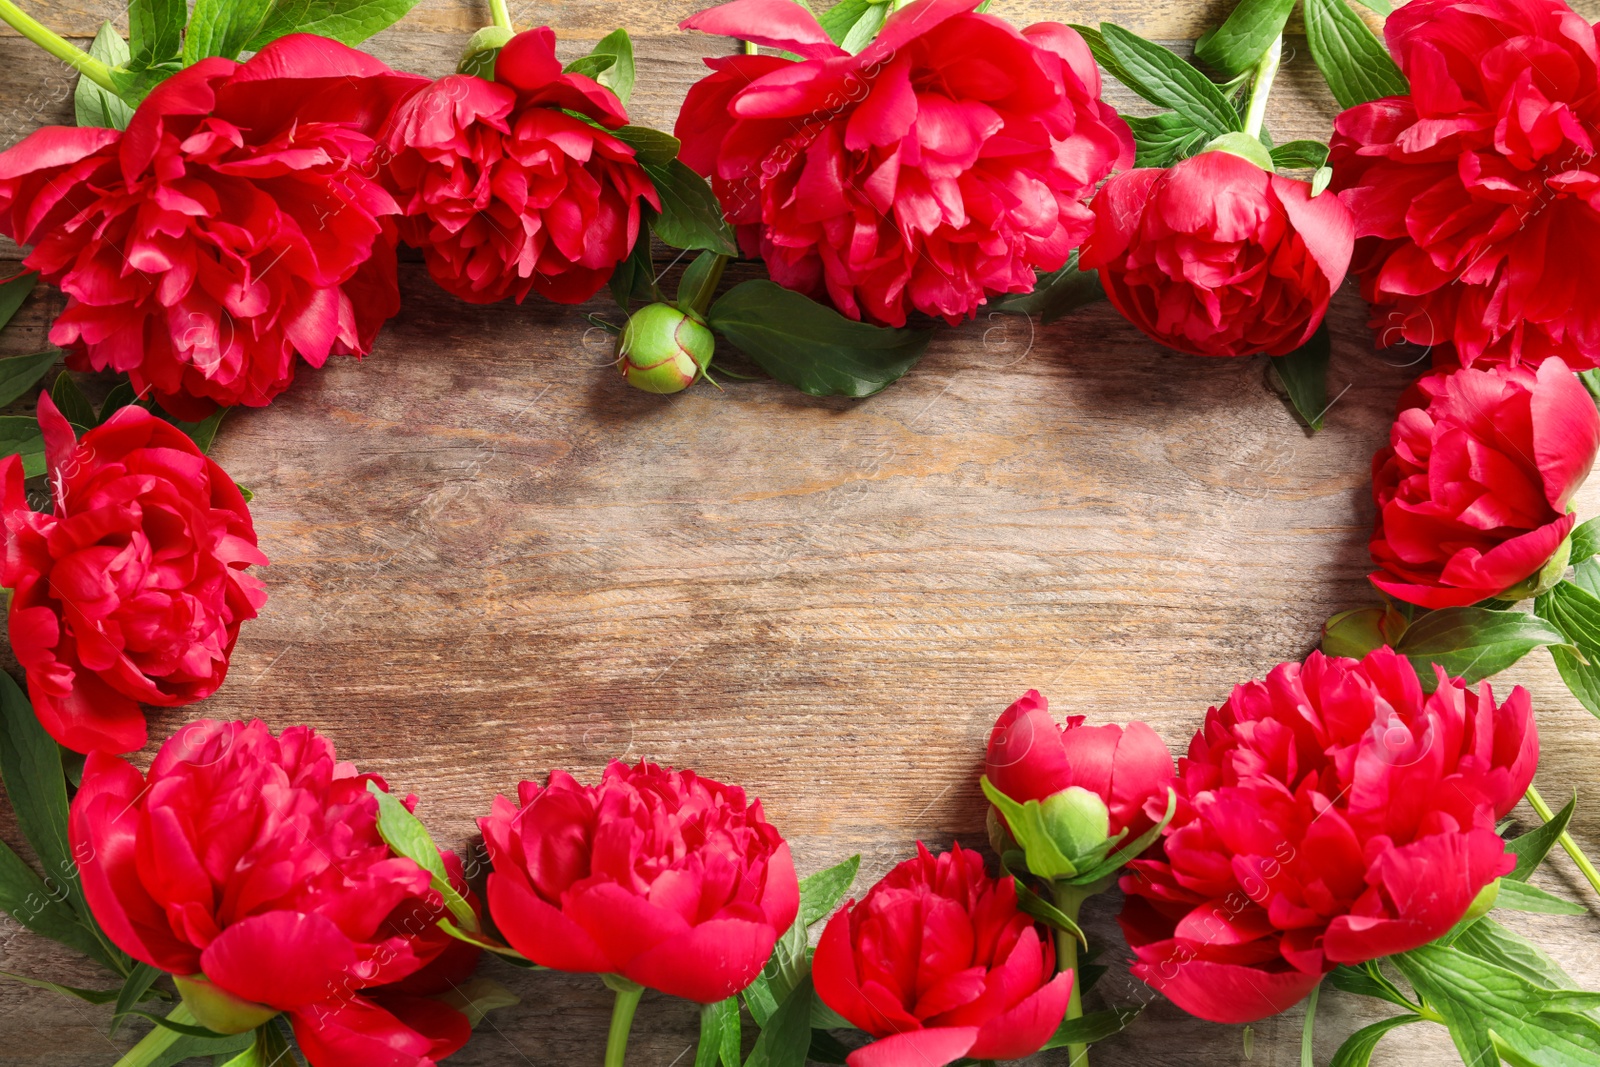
[814, 348]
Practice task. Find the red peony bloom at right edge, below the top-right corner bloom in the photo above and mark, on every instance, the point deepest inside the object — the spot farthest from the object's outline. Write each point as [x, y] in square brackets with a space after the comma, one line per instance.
[1474, 486]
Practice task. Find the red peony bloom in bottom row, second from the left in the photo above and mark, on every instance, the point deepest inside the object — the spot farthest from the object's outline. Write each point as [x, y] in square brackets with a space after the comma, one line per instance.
[668, 879]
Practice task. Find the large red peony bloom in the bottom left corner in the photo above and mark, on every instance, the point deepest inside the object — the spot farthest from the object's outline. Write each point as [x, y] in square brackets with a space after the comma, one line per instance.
[252, 869]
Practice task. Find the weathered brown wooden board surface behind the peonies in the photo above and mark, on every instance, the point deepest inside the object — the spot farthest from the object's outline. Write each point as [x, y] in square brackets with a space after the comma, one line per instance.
[490, 557]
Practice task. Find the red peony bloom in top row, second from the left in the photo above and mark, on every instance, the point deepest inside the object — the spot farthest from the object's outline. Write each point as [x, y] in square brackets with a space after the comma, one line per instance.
[506, 188]
